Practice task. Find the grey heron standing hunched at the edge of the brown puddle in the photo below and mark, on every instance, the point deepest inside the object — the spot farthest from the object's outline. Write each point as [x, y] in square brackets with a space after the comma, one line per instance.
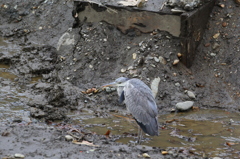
[140, 102]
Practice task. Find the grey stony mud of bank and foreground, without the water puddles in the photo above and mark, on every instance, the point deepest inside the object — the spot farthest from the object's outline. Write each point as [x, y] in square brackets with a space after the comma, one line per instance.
[67, 61]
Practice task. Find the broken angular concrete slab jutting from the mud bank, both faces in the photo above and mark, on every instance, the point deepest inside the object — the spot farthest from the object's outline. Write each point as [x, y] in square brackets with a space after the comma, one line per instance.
[188, 26]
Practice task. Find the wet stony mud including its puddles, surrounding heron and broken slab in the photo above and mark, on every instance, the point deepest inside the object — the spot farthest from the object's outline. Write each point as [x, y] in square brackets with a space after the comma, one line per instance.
[46, 65]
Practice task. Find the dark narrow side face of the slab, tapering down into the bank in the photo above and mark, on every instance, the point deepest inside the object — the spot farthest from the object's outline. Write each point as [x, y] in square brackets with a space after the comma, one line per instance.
[193, 26]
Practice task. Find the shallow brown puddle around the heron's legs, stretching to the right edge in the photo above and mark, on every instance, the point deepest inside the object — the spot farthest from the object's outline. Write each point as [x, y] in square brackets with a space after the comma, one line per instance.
[208, 132]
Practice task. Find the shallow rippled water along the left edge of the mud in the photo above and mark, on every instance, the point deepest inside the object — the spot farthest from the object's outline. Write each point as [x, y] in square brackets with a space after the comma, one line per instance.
[12, 107]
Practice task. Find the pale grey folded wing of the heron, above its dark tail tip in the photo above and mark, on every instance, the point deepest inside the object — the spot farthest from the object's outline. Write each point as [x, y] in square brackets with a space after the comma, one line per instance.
[140, 101]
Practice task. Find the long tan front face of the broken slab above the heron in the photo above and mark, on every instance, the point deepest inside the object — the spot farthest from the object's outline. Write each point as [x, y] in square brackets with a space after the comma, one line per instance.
[127, 18]
